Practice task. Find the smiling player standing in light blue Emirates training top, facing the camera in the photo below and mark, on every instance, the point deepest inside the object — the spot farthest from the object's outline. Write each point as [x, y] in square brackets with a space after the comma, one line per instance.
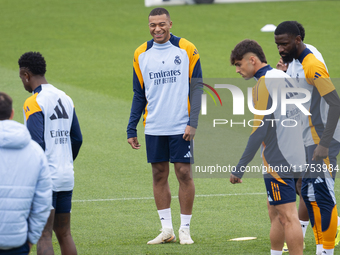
[164, 70]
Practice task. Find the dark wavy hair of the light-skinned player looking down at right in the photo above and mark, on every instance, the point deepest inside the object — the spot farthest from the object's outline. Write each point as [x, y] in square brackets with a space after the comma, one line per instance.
[245, 47]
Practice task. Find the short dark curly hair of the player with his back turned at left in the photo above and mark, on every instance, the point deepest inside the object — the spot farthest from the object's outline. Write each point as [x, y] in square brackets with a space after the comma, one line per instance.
[34, 62]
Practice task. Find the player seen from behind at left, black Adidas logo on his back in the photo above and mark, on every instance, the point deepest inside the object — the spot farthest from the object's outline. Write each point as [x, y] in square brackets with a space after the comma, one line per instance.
[52, 121]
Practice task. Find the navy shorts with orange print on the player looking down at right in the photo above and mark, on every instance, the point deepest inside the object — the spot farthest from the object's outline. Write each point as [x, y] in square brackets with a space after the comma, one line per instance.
[280, 191]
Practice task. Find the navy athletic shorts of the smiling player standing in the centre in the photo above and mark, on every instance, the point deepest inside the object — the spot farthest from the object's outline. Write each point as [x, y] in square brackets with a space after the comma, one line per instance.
[171, 148]
